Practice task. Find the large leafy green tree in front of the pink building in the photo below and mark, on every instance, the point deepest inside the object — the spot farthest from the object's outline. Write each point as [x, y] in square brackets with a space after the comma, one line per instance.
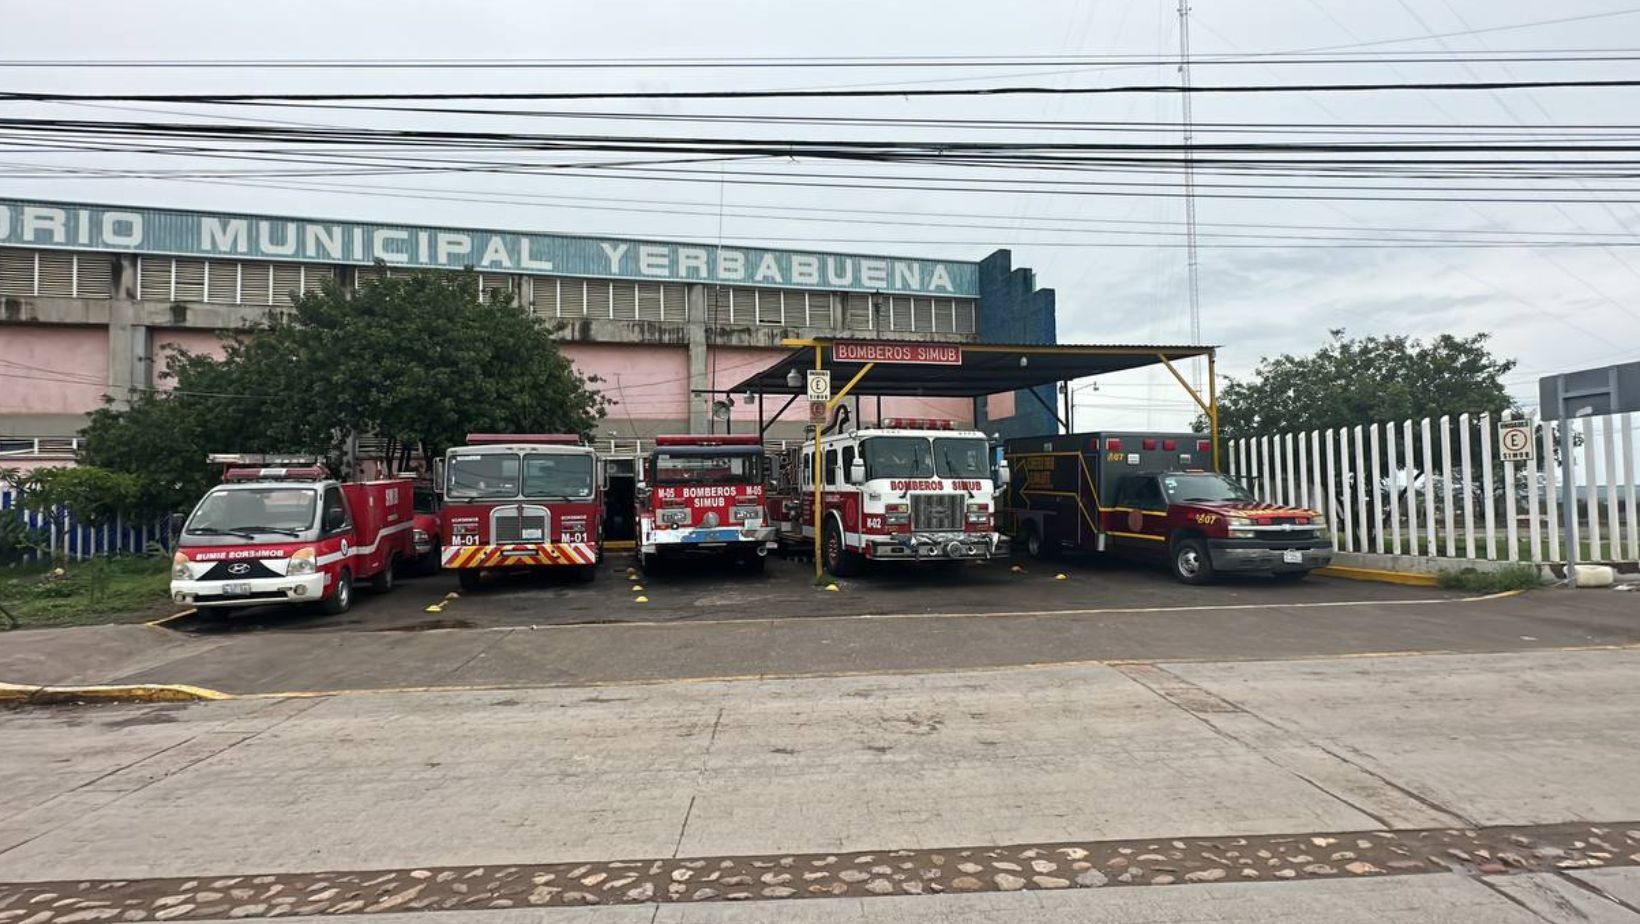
[419, 360]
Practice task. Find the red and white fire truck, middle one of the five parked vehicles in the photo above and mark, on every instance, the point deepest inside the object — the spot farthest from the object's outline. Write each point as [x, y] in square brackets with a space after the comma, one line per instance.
[704, 495]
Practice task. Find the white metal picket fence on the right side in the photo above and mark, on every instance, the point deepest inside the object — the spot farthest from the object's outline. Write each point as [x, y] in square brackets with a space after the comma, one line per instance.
[1436, 488]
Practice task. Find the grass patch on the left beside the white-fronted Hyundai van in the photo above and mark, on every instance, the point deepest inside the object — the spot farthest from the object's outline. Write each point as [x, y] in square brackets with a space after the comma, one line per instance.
[86, 593]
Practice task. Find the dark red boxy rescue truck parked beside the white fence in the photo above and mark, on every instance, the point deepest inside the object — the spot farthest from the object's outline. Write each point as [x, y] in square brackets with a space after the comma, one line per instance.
[1159, 498]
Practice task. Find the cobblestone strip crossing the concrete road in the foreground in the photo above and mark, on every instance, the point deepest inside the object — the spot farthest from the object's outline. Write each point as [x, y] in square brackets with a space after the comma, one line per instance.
[1165, 862]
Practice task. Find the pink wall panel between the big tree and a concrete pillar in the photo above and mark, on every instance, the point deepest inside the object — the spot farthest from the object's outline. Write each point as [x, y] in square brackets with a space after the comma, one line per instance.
[652, 383]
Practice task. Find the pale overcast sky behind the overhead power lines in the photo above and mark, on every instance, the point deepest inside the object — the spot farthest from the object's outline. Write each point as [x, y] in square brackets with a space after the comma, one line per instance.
[1551, 309]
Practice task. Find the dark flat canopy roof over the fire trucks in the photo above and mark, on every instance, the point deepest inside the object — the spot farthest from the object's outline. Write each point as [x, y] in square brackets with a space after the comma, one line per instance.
[985, 368]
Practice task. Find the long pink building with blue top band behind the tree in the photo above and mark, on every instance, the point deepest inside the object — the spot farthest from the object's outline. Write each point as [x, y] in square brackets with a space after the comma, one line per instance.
[93, 295]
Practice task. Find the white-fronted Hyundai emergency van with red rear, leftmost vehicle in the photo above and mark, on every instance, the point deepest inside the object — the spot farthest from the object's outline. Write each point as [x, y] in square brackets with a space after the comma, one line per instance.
[280, 529]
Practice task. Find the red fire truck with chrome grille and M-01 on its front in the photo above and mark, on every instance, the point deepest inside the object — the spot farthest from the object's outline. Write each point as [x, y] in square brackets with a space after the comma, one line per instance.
[519, 501]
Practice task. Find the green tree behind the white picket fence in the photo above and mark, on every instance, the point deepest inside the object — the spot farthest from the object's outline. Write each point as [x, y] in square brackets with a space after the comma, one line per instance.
[1364, 382]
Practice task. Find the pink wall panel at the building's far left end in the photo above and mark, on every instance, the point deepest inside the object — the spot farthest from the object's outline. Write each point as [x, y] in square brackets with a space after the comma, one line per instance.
[53, 370]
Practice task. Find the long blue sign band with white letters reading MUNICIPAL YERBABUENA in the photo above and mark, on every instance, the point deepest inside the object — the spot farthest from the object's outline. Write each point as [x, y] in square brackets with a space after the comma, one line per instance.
[314, 240]
